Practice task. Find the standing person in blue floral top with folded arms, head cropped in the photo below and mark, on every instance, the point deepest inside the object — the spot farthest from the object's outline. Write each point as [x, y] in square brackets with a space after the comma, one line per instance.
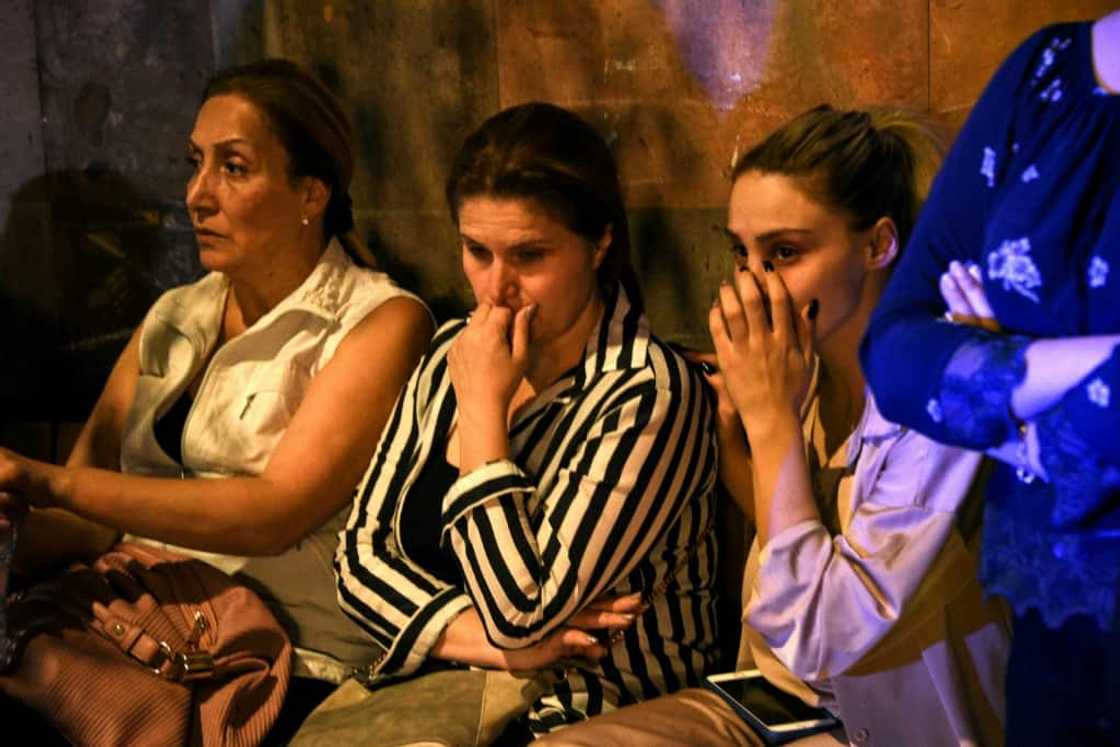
[1019, 241]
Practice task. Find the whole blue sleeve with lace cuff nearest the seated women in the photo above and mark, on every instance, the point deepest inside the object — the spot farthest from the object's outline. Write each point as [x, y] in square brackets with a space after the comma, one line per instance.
[909, 347]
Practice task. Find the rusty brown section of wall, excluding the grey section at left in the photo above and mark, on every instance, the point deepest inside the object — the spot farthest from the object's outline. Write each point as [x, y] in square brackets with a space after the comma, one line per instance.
[677, 87]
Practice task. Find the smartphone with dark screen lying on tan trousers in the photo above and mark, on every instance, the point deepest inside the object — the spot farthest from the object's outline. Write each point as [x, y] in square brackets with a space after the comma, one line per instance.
[774, 714]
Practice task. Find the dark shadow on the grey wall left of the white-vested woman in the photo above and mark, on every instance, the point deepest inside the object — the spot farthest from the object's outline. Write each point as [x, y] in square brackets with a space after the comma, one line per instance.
[82, 257]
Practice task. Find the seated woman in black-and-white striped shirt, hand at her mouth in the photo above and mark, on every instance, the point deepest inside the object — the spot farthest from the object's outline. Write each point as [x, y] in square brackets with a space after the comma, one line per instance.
[549, 468]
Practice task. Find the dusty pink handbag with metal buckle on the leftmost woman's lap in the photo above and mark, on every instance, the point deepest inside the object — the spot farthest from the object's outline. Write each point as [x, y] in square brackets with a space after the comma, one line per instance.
[148, 648]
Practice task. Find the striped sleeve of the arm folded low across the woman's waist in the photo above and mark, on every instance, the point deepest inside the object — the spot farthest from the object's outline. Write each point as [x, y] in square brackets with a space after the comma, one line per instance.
[403, 608]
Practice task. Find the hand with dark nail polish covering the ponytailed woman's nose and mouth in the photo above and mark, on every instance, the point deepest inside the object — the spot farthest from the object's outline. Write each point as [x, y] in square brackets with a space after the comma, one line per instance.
[767, 359]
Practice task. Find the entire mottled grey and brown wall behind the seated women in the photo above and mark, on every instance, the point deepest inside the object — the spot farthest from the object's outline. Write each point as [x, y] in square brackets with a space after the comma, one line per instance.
[100, 99]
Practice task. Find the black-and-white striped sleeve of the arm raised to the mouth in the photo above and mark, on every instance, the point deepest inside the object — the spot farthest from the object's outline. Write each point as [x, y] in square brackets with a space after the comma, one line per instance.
[624, 477]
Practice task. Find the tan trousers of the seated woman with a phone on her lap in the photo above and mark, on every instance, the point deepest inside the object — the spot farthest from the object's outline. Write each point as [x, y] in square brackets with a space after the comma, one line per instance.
[695, 717]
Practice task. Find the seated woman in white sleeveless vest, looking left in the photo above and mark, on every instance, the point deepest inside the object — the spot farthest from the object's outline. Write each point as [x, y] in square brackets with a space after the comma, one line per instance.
[275, 373]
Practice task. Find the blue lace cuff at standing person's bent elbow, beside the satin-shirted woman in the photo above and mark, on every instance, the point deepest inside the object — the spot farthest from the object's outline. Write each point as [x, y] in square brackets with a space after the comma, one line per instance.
[975, 403]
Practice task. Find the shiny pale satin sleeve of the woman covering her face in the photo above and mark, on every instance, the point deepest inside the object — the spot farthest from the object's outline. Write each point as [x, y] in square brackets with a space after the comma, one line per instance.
[823, 602]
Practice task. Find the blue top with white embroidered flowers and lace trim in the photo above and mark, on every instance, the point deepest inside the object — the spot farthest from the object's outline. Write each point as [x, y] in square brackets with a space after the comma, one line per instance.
[1031, 193]
